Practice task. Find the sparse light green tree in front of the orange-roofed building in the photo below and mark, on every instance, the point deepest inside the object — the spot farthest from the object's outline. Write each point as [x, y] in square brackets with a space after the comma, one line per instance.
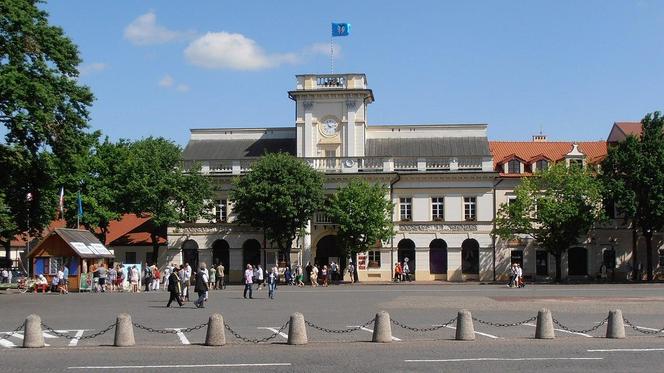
[556, 207]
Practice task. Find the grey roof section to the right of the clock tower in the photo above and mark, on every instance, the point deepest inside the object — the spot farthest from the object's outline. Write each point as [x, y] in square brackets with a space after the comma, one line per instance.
[428, 147]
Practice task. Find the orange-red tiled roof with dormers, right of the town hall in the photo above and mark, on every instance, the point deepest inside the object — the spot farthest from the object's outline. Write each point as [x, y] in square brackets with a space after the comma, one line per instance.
[531, 151]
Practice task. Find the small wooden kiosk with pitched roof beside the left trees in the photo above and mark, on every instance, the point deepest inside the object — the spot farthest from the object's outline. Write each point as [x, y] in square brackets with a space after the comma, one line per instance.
[74, 248]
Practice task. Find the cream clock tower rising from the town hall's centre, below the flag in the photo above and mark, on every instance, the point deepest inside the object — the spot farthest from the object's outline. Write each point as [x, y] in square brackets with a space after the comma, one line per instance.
[331, 115]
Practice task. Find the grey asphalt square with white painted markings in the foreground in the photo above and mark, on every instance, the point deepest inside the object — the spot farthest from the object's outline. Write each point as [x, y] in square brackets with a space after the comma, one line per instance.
[577, 307]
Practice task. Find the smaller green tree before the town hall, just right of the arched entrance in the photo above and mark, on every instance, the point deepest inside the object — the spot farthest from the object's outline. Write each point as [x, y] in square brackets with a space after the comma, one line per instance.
[363, 215]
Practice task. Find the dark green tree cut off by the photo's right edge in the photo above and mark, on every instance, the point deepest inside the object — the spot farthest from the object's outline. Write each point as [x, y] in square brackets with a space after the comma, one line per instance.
[633, 173]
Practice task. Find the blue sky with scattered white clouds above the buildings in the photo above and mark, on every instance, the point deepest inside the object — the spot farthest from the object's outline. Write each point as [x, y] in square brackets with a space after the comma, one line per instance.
[568, 68]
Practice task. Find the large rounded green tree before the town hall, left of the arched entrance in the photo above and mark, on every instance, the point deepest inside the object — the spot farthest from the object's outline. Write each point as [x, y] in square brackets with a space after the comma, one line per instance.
[279, 196]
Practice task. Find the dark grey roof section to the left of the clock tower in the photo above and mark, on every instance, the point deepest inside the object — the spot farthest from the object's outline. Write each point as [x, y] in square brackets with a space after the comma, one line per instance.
[236, 149]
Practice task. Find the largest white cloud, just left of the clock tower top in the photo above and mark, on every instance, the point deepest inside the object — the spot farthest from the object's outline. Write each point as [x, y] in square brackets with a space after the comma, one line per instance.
[223, 50]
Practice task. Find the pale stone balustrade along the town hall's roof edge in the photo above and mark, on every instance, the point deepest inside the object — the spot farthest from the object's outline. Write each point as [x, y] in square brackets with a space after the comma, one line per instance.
[361, 164]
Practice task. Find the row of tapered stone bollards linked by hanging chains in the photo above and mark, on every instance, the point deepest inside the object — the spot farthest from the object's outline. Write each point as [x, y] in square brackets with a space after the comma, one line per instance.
[297, 329]
